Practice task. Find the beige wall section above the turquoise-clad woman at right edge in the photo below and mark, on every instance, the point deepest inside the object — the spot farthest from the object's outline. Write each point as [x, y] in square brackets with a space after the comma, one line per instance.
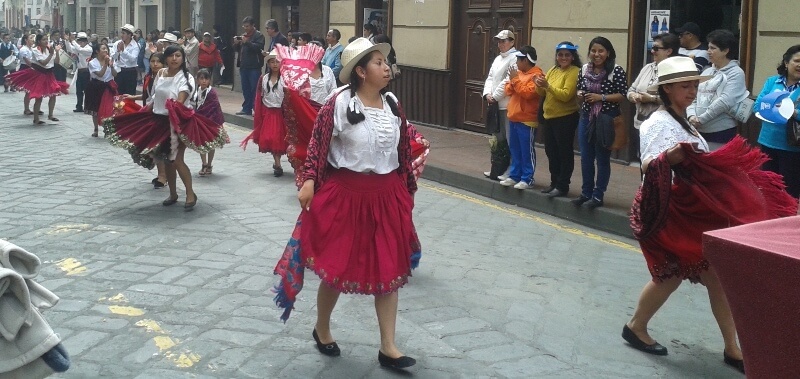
[777, 31]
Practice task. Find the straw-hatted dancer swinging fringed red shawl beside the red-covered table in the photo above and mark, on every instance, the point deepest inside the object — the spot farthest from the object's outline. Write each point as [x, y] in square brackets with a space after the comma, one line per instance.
[686, 192]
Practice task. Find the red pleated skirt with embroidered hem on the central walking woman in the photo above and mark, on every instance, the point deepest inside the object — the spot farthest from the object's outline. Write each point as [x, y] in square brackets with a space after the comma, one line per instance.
[359, 235]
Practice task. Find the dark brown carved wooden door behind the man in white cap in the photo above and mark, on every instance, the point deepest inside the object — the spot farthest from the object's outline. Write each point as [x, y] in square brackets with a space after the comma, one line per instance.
[478, 21]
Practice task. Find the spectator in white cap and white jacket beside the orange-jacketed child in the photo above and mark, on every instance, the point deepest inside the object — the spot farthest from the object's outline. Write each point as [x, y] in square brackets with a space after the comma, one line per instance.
[495, 96]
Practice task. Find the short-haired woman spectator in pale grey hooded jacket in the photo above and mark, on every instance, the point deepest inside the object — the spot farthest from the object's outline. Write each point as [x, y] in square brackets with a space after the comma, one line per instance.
[711, 112]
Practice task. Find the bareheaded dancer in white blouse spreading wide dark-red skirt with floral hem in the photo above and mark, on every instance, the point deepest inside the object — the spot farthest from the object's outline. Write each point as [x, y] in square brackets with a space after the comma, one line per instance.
[166, 127]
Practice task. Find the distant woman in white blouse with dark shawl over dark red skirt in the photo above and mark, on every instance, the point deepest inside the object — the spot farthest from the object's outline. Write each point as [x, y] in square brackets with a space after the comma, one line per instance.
[102, 88]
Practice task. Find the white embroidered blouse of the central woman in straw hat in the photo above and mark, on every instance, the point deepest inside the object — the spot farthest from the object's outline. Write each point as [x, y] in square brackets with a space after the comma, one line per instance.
[369, 146]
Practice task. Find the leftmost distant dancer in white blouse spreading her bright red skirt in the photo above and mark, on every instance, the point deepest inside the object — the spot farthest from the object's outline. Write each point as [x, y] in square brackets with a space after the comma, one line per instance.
[40, 82]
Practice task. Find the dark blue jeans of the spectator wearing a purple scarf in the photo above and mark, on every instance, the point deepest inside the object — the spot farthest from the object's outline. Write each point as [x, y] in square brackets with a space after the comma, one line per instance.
[592, 154]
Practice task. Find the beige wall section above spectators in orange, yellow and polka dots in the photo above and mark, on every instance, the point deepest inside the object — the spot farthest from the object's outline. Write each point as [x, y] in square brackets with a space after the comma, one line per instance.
[578, 21]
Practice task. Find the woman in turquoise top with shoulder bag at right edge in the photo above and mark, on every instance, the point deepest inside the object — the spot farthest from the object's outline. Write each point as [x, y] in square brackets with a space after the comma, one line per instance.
[784, 157]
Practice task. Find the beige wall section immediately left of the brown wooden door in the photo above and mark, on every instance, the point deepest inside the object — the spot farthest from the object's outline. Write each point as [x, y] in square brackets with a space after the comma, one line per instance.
[420, 33]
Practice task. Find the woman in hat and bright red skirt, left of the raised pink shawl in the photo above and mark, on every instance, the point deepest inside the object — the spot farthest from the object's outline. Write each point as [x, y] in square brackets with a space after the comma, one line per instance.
[269, 129]
